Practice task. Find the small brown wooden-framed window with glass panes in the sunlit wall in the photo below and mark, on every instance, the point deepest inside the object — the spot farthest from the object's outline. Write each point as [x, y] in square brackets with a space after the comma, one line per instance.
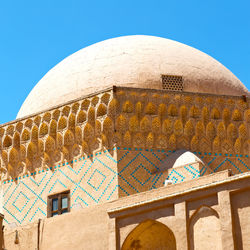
[58, 204]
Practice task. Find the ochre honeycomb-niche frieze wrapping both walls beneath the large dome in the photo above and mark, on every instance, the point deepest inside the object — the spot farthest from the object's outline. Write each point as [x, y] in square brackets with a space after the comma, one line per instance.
[126, 117]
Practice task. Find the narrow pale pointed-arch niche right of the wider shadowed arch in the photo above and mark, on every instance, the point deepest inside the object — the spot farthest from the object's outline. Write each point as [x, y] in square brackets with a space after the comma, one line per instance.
[204, 229]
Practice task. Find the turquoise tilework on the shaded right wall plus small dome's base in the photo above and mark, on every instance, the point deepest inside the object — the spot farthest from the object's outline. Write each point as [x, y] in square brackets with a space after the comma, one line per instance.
[138, 169]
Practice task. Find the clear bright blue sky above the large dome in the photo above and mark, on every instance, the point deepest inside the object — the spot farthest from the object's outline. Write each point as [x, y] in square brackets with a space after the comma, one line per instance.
[36, 35]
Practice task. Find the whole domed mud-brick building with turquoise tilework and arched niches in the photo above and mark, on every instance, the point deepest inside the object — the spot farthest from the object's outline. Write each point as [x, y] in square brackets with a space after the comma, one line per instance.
[136, 142]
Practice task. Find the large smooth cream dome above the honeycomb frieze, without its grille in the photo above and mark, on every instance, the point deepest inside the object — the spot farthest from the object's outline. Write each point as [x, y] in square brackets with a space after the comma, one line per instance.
[130, 61]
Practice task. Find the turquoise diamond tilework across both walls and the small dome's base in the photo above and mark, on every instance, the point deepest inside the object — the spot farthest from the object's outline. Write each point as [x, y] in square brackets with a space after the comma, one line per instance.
[104, 177]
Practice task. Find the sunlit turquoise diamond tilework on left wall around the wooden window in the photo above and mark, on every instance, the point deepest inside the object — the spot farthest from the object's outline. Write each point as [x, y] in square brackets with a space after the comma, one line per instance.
[90, 182]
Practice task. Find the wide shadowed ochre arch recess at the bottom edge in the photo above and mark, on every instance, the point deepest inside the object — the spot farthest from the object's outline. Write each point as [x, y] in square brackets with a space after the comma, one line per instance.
[148, 235]
